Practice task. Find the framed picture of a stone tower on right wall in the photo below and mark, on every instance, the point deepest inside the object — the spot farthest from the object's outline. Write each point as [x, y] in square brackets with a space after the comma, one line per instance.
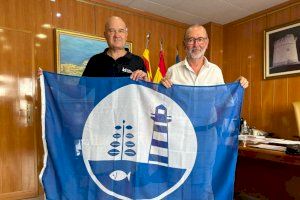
[282, 50]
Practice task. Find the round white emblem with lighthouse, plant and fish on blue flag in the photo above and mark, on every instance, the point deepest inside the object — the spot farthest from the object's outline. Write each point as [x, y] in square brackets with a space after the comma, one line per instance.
[126, 132]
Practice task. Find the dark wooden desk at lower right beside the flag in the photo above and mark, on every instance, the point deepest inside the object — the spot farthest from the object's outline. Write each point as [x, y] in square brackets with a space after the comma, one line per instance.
[267, 174]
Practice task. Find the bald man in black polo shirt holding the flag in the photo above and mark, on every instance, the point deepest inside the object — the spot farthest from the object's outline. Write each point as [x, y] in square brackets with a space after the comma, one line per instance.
[116, 60]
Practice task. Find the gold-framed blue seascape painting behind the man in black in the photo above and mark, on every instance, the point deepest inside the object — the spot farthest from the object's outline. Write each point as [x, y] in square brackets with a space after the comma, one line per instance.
[74, 49]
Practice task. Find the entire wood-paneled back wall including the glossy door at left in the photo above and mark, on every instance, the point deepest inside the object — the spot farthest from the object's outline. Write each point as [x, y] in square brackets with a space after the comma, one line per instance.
[20, 23]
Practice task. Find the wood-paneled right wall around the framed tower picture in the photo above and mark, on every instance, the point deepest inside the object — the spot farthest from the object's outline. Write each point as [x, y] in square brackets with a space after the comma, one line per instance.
[267, 103]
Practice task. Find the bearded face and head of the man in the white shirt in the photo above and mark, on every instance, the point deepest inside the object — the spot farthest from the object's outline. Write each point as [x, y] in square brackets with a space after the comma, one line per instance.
[195, 42]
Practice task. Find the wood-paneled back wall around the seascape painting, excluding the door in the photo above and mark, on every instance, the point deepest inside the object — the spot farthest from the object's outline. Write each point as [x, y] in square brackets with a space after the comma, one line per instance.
[89, 16]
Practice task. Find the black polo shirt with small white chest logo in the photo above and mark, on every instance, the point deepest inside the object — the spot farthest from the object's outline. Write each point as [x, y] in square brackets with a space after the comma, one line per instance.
[102, 65]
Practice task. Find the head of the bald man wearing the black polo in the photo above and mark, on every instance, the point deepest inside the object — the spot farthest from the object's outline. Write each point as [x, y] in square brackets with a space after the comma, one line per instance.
[116, 34]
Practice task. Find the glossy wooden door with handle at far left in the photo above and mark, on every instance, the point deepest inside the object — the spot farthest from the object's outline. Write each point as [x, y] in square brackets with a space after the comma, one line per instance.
[18, 154]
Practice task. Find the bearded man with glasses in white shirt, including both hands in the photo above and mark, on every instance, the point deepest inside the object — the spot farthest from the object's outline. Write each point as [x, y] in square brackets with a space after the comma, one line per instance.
[195, 69]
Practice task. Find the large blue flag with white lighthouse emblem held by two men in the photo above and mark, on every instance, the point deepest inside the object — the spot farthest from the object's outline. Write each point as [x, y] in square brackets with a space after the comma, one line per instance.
[114, 138]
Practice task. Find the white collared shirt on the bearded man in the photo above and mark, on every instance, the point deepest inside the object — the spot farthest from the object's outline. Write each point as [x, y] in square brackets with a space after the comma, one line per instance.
[182, 74]
